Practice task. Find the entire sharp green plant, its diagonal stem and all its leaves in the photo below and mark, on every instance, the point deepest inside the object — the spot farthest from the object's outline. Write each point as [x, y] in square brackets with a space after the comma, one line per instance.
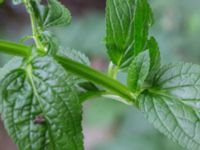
[41, 94]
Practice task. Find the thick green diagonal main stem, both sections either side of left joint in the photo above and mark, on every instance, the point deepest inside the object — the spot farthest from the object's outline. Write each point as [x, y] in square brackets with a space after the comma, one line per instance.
[113, 86]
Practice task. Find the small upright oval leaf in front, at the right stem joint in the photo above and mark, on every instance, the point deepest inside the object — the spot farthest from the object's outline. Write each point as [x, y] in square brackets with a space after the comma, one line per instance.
[138, 71]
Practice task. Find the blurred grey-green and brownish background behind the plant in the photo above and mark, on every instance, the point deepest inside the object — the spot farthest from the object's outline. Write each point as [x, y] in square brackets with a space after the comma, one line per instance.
[110, 125]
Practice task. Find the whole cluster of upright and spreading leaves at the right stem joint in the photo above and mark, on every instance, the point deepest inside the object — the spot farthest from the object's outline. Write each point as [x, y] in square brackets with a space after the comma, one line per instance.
[170, 101]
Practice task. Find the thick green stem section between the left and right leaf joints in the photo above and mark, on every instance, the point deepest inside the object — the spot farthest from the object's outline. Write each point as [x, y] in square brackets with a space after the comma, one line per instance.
[96, 77]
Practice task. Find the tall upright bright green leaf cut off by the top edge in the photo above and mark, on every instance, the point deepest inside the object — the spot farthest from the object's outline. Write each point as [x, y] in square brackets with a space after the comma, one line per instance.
[127, 25]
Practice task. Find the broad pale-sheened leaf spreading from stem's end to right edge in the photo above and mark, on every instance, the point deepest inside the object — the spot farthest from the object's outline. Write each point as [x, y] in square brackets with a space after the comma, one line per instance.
[172, 104]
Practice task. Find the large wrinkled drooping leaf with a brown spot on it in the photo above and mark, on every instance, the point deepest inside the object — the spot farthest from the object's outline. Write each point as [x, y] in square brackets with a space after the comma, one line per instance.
[41, 109]
